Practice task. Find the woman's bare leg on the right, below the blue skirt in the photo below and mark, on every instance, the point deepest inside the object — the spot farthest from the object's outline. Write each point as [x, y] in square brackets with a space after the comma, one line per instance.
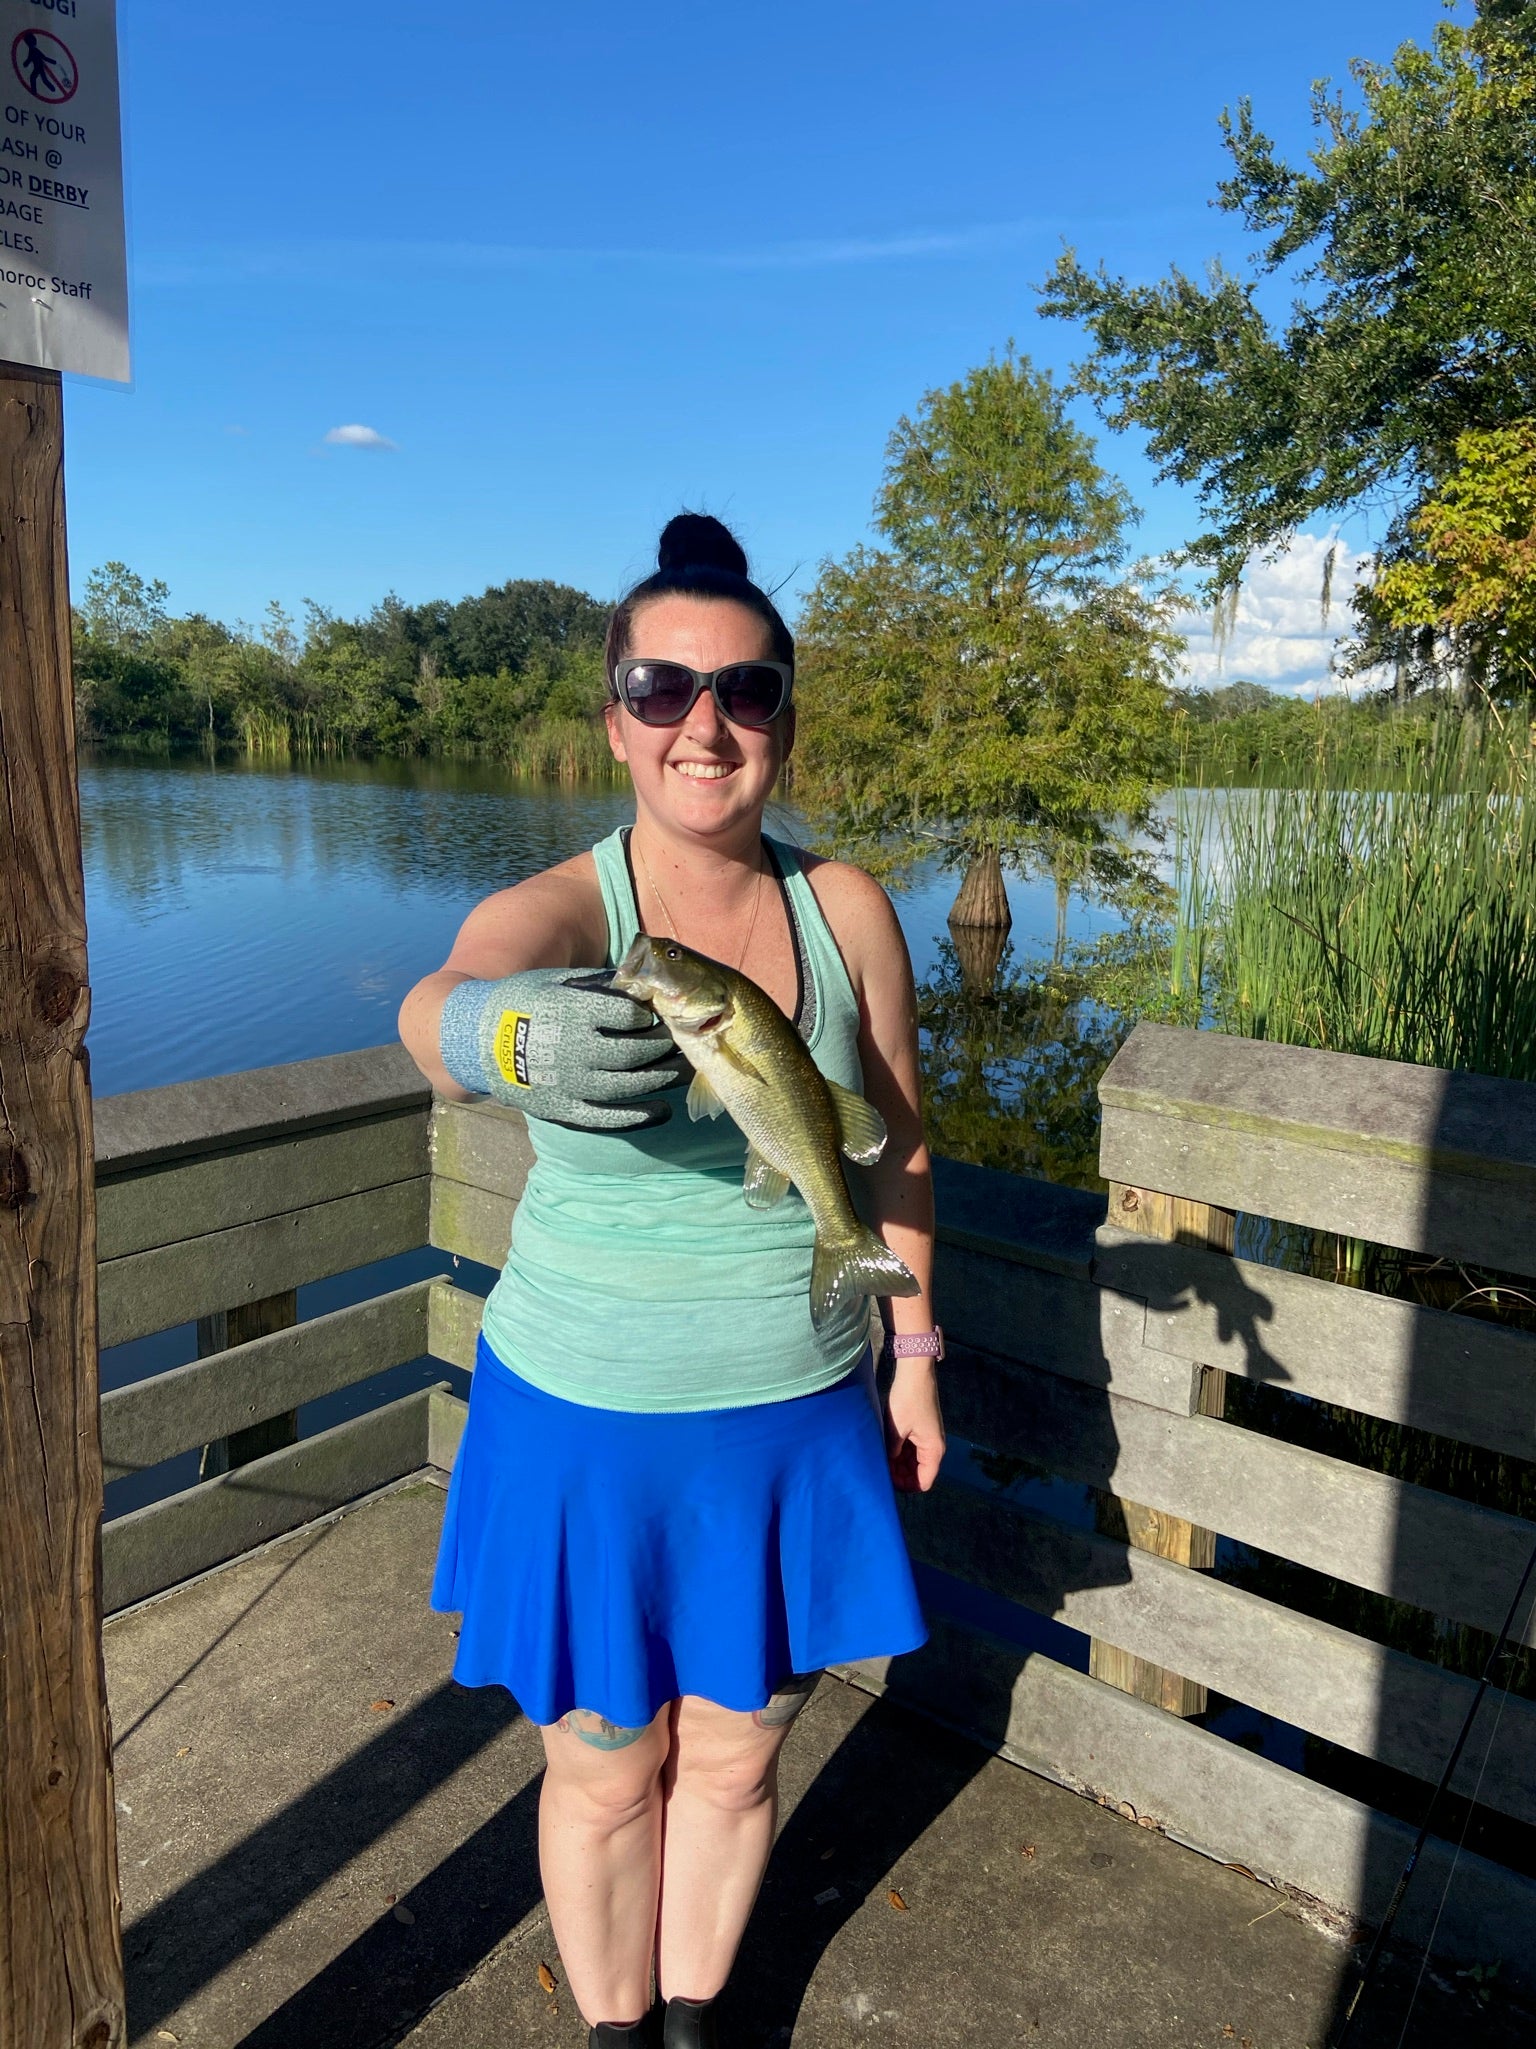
[722, 1804]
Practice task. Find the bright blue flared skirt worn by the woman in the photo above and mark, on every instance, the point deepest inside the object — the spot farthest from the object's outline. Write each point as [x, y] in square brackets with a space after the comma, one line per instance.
[617, 1560]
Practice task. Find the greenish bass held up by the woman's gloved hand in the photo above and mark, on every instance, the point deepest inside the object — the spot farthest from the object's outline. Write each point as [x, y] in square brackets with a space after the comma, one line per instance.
[753, 1064]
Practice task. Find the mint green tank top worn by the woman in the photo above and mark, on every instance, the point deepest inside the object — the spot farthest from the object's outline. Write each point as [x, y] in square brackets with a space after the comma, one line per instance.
[638, 1278]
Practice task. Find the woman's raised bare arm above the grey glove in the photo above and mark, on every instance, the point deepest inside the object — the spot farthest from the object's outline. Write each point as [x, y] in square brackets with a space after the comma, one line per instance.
[552, 921]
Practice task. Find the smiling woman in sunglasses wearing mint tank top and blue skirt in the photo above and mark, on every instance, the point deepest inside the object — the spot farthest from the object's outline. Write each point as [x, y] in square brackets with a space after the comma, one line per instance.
[673, 1505]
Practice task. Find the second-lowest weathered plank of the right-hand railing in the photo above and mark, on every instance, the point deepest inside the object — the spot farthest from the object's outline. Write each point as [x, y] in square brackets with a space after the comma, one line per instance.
[1312, 1675]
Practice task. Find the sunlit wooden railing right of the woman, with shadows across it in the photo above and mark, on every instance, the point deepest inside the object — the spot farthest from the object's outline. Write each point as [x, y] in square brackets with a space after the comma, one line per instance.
[1089, 1357]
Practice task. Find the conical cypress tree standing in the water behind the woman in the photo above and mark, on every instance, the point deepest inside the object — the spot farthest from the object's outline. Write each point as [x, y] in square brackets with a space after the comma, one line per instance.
[990, 683]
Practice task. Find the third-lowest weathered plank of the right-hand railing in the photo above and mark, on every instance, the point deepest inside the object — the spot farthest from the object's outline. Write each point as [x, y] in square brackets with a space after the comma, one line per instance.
[1453, 1558]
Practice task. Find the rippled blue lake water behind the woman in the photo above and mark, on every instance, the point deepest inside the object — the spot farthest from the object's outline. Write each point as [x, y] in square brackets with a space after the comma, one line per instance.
[255, 915]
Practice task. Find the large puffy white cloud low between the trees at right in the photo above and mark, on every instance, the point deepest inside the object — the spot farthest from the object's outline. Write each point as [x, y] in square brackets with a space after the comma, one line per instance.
[1279, 636]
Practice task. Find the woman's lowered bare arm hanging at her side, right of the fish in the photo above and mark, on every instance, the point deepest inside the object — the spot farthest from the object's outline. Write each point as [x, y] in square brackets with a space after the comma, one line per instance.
[902, 1181]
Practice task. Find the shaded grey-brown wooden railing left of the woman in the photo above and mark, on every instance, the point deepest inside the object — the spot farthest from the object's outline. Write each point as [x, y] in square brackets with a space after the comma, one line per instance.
[214, 1196]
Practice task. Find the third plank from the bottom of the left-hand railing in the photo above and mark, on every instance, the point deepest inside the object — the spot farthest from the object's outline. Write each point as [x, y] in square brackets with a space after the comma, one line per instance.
[177, 1284]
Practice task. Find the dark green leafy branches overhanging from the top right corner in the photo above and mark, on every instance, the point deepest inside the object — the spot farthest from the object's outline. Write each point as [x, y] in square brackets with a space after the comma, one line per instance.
[1410, 251]
